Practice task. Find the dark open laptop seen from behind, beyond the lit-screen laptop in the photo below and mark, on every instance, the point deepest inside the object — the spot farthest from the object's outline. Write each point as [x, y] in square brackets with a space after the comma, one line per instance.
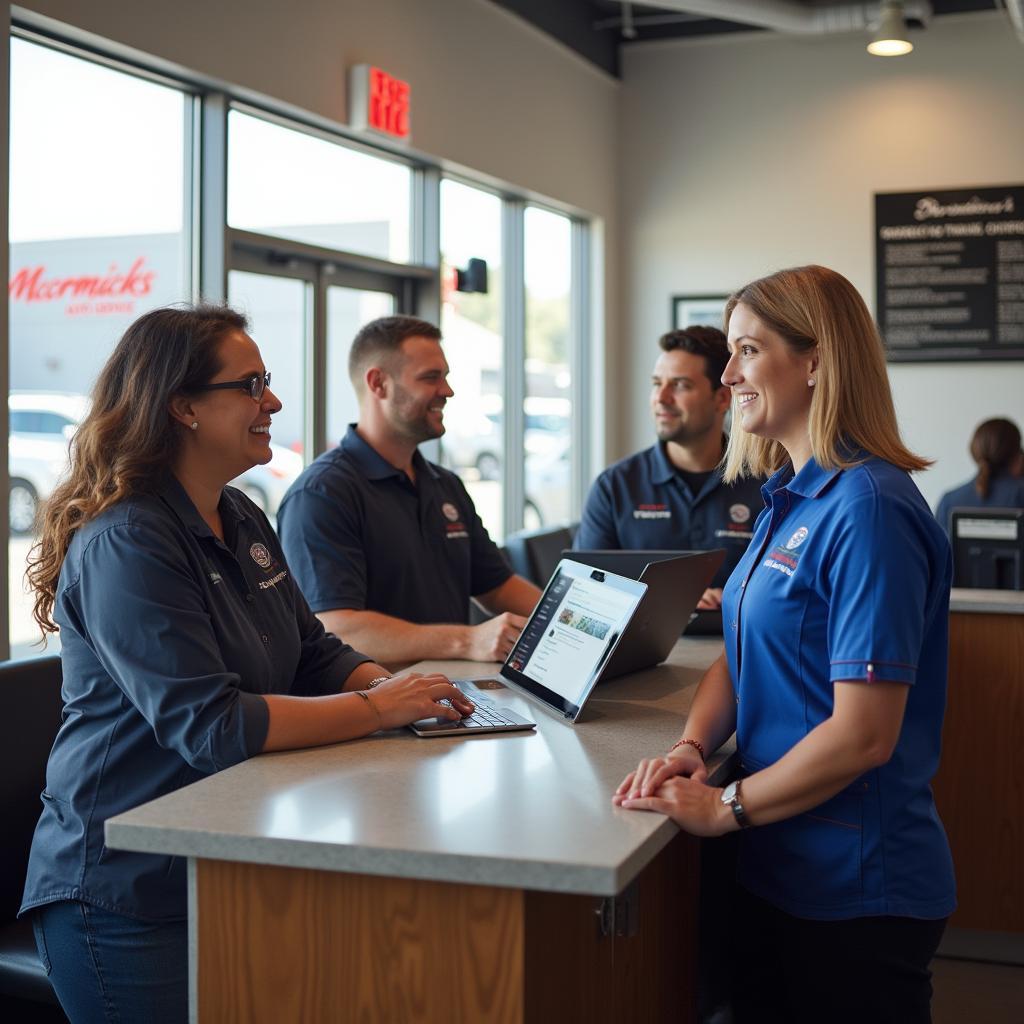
[676, 580]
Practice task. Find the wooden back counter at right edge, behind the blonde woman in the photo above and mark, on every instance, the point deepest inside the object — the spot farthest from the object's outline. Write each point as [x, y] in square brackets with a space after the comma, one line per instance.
[980, 786]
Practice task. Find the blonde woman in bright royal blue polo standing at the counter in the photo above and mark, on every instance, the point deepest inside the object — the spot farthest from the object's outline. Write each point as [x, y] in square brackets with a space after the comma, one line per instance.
[834, 676]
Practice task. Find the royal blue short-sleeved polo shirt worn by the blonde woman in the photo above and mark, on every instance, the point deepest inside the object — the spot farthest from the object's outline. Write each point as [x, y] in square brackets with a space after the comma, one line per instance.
[847, 578]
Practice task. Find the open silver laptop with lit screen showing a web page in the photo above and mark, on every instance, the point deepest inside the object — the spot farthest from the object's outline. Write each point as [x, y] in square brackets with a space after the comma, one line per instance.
[569, 639]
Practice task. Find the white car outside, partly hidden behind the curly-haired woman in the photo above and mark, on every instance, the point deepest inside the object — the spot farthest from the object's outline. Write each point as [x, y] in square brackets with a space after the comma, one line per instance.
[44, 422]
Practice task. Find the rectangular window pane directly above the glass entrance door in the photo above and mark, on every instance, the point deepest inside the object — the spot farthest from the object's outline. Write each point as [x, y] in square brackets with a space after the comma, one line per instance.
[295, 186]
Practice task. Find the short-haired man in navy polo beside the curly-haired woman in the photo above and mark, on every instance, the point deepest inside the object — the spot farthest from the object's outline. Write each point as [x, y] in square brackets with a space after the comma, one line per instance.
[388, 547]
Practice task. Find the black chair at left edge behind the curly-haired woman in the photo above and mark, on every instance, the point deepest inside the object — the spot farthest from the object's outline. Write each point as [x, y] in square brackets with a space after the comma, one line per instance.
[30, 693]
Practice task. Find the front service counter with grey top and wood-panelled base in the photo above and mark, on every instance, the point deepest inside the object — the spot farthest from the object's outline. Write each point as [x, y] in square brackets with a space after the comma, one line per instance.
[486, 879]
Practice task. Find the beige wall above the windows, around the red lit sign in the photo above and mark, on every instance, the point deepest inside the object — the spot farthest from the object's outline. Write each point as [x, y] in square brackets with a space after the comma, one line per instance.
[490, 93]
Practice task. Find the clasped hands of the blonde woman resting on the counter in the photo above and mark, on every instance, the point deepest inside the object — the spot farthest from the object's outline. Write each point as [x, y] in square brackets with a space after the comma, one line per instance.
[676, 786]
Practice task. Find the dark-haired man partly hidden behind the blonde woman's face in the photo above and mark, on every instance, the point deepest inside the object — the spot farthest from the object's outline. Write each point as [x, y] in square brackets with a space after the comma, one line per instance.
[672, 496]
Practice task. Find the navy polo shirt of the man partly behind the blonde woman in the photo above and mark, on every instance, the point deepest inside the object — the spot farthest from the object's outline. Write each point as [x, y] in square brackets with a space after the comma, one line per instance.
[643, 503]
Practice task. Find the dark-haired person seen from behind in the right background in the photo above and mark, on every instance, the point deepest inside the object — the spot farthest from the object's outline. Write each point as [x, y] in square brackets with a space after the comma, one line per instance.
[996, 447]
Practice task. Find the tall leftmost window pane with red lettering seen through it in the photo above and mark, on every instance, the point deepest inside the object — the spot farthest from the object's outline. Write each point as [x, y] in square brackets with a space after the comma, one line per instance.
[99, 235]
